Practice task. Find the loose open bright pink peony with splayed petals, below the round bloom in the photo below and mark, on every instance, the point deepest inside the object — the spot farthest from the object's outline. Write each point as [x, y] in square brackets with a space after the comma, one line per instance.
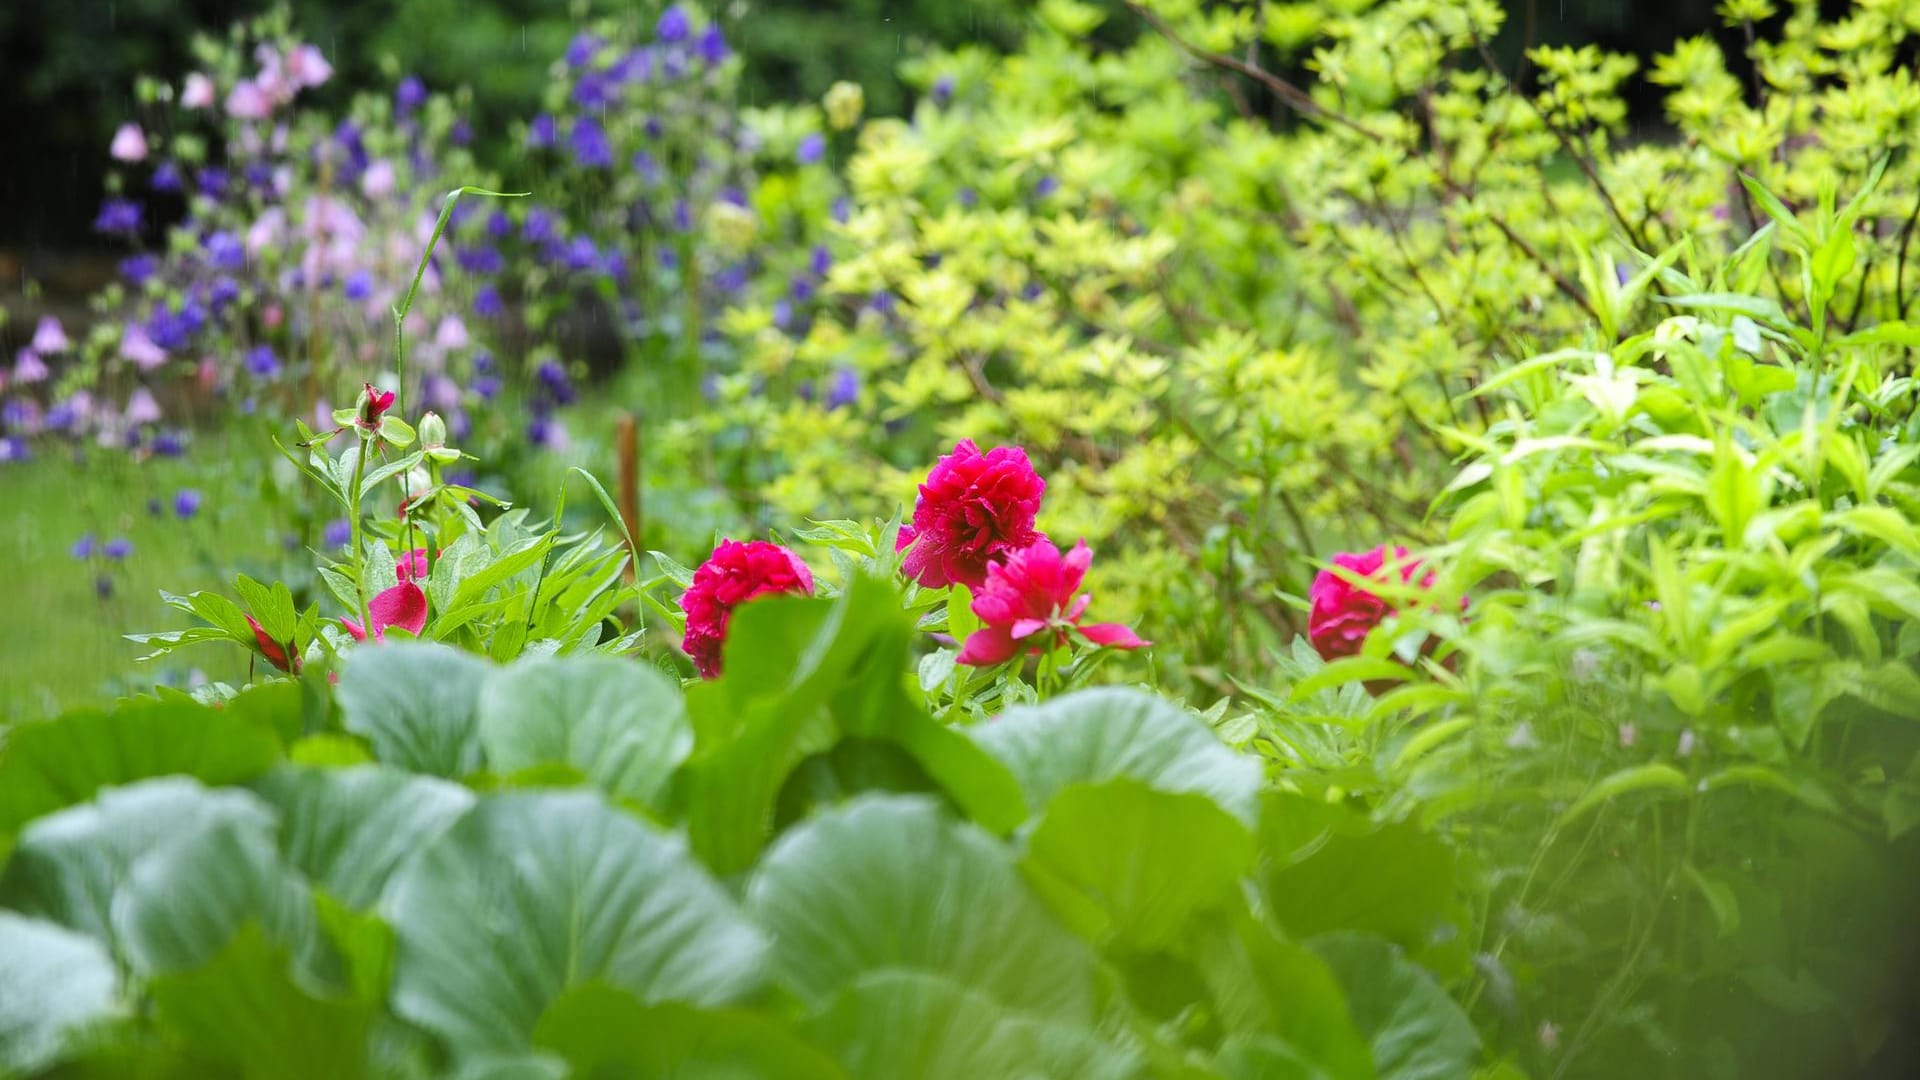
[1030, 597]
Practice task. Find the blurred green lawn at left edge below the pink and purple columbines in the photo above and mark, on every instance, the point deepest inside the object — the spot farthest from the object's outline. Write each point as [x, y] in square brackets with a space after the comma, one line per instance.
[62, 637]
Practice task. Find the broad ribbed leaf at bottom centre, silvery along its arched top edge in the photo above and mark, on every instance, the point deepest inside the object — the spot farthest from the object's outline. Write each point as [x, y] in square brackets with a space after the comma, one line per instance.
[890, 883]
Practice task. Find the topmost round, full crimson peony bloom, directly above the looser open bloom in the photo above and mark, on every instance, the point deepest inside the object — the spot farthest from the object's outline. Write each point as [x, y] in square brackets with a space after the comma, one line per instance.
[971, 514]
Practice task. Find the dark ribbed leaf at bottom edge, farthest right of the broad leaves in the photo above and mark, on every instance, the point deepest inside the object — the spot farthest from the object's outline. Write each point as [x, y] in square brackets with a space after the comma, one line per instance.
[1416, 1031]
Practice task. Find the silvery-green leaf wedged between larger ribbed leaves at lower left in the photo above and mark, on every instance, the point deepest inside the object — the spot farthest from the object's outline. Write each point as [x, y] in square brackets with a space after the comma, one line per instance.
[348, 829]
